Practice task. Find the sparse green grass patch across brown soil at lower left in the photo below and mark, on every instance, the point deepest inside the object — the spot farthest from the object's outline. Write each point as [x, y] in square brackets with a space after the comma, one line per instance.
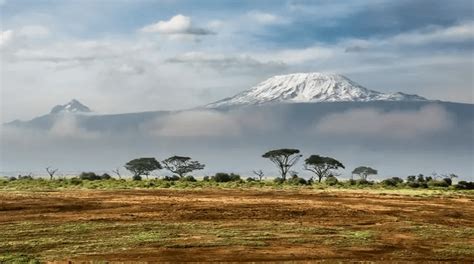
[54, 241]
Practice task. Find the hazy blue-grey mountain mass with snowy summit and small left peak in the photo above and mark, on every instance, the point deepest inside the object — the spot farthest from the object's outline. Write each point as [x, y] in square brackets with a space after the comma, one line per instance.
[358, 126]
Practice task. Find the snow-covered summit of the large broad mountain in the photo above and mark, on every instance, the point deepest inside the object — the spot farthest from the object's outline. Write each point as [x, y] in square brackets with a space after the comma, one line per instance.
[308, 88]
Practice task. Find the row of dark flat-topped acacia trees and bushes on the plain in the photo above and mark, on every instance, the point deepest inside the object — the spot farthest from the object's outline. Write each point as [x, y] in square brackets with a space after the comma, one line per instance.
[321, 167]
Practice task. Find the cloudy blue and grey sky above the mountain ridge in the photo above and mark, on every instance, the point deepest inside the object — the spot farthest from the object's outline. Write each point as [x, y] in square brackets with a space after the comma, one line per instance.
[120, 56]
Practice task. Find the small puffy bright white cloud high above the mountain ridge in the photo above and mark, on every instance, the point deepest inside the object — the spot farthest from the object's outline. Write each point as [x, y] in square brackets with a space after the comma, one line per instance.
[177, 25]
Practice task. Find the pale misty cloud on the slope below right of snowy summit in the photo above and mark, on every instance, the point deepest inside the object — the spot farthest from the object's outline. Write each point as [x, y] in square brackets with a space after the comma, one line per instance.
[373, 123]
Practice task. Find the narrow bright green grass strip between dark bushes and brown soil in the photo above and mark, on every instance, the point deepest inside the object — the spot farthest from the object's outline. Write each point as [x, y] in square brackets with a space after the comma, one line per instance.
[66, 184]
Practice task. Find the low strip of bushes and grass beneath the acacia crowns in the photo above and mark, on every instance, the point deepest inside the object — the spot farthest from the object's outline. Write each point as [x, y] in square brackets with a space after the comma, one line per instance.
[224, 180]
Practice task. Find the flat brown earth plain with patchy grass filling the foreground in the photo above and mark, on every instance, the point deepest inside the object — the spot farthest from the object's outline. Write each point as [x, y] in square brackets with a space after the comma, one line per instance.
[235, 225]
